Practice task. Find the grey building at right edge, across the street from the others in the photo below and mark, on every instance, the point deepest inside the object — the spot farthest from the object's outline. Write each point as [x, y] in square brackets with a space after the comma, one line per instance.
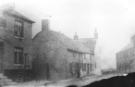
[126, 58]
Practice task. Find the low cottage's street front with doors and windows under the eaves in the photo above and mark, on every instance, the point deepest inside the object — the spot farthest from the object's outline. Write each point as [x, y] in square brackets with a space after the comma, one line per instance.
[83, 64]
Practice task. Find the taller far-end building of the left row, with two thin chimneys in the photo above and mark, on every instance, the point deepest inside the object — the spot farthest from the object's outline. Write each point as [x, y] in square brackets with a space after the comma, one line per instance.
[89, 56]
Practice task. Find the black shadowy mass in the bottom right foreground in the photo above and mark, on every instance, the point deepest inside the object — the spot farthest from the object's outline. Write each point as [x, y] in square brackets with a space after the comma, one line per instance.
[117, 81]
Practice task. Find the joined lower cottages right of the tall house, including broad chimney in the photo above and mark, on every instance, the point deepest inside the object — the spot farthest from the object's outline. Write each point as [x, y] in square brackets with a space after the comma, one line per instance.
[56, 56]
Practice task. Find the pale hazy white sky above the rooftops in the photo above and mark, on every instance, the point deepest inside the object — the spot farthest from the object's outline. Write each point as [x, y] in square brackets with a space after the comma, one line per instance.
[114, 20]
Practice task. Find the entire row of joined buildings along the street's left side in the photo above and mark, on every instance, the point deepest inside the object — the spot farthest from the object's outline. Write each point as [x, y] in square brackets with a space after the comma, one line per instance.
[49, 55]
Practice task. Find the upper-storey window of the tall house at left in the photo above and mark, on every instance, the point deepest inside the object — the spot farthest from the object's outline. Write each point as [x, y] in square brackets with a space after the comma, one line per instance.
[18, 29]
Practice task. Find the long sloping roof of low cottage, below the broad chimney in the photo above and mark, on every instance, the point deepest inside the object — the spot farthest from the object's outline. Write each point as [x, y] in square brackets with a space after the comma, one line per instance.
[64, 40]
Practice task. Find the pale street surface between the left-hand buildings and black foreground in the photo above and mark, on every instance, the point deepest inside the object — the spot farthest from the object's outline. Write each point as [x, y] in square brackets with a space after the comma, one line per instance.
[63, 83]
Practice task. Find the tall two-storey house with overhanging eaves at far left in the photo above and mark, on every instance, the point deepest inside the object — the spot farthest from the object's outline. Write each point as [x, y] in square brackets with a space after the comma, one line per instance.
[15, 44]
